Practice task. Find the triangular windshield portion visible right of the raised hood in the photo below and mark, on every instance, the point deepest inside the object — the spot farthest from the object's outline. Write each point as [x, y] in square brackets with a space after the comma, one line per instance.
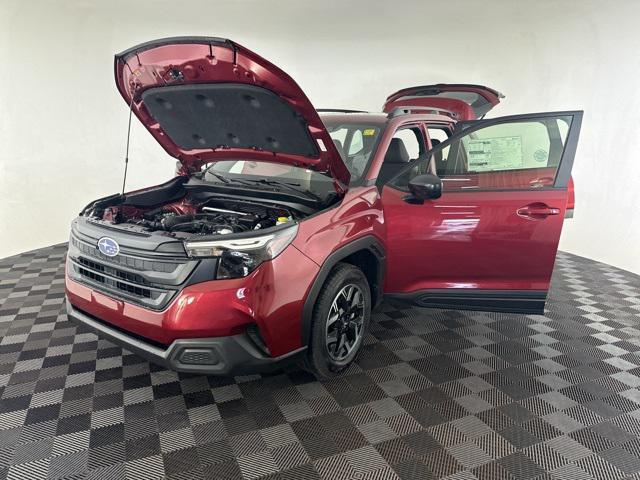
[355, 143]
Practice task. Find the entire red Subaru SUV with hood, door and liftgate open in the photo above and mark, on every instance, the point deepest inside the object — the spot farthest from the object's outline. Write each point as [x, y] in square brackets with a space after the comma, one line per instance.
[285, 225]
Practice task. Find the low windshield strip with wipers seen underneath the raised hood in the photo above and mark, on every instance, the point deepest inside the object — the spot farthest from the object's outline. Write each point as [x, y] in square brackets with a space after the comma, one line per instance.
[271, 175]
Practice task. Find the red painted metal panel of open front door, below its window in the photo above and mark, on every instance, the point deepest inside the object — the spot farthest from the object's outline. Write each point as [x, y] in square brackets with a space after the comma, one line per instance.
[470, 240]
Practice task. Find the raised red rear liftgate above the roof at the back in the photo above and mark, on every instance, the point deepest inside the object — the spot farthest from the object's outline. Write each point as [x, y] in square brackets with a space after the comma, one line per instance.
[464, 102]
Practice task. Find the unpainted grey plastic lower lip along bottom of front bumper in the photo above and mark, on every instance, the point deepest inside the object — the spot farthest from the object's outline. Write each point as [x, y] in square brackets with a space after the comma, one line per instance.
[231, 355]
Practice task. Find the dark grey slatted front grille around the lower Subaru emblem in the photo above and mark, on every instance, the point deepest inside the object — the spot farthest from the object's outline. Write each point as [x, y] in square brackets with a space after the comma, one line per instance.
[139, 280]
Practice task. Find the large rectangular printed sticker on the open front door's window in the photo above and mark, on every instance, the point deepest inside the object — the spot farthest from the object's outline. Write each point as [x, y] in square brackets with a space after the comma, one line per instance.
[487, 154]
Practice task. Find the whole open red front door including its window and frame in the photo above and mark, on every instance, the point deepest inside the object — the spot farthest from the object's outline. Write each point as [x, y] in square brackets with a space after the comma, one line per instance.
[490, 241]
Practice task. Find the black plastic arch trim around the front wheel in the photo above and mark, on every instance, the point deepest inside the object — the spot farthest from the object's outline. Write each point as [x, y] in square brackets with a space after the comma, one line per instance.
[369, 243]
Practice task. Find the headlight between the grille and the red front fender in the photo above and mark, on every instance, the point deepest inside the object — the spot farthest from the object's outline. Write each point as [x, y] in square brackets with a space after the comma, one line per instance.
[240, 256]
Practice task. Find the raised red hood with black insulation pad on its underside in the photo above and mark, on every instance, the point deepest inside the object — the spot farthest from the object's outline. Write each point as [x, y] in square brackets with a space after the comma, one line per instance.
[205, 99]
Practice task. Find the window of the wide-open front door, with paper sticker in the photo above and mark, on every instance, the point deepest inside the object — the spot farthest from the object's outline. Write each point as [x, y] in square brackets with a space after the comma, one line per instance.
[515, 155]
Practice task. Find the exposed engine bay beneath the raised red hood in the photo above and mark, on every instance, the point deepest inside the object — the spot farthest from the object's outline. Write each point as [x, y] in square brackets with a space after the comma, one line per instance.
[186, 207]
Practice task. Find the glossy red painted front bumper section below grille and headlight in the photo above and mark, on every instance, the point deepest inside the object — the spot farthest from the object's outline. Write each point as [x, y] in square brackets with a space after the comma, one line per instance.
[269, 299]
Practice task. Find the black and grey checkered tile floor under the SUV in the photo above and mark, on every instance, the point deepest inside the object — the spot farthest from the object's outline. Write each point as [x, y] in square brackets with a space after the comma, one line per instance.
[434, 394]
